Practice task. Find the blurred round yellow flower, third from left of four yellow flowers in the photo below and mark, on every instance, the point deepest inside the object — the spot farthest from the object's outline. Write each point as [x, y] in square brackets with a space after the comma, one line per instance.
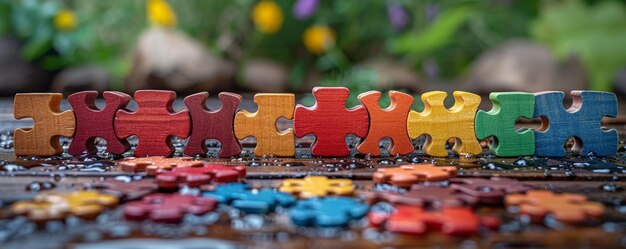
[267, 17]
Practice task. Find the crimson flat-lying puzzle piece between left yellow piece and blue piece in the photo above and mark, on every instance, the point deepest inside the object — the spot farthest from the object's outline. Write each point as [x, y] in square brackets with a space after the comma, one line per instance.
[167, 208]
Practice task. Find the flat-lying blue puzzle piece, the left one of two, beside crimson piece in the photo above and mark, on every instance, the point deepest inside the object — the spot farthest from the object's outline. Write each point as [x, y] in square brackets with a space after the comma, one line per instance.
[240, 196]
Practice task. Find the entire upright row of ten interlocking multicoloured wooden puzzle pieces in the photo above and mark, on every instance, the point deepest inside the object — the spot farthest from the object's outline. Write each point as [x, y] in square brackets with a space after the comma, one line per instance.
[329, 120]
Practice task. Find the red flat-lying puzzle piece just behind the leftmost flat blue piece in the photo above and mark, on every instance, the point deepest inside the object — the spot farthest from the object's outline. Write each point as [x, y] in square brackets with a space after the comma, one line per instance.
[198, 176]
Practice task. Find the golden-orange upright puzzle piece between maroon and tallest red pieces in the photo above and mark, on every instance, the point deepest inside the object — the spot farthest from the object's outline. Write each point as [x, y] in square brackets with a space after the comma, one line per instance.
[262, 124]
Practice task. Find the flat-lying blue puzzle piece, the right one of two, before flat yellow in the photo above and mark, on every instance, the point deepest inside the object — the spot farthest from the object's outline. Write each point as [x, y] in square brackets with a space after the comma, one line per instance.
[327, 212]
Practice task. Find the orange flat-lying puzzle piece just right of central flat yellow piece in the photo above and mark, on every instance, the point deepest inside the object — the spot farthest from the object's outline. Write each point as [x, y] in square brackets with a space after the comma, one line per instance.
[407, 175]
